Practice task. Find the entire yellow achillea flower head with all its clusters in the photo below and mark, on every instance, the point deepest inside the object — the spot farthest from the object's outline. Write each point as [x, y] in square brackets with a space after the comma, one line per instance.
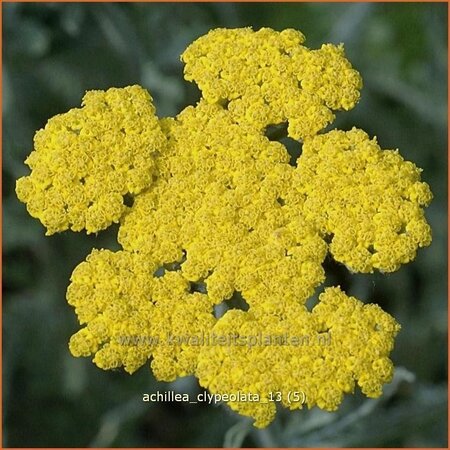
[218, 204]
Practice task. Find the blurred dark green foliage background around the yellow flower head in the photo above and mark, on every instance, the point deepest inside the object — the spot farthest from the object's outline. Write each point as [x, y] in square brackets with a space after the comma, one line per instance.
[52, 54]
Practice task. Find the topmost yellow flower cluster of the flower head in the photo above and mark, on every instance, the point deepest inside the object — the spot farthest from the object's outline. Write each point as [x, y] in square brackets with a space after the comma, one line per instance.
[267, 77]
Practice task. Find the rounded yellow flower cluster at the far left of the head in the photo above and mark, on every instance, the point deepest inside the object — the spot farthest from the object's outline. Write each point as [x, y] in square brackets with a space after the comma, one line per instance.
[86, 160]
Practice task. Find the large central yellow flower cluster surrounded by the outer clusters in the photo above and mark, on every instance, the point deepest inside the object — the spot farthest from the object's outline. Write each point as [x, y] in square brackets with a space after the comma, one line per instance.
[225, 201]
